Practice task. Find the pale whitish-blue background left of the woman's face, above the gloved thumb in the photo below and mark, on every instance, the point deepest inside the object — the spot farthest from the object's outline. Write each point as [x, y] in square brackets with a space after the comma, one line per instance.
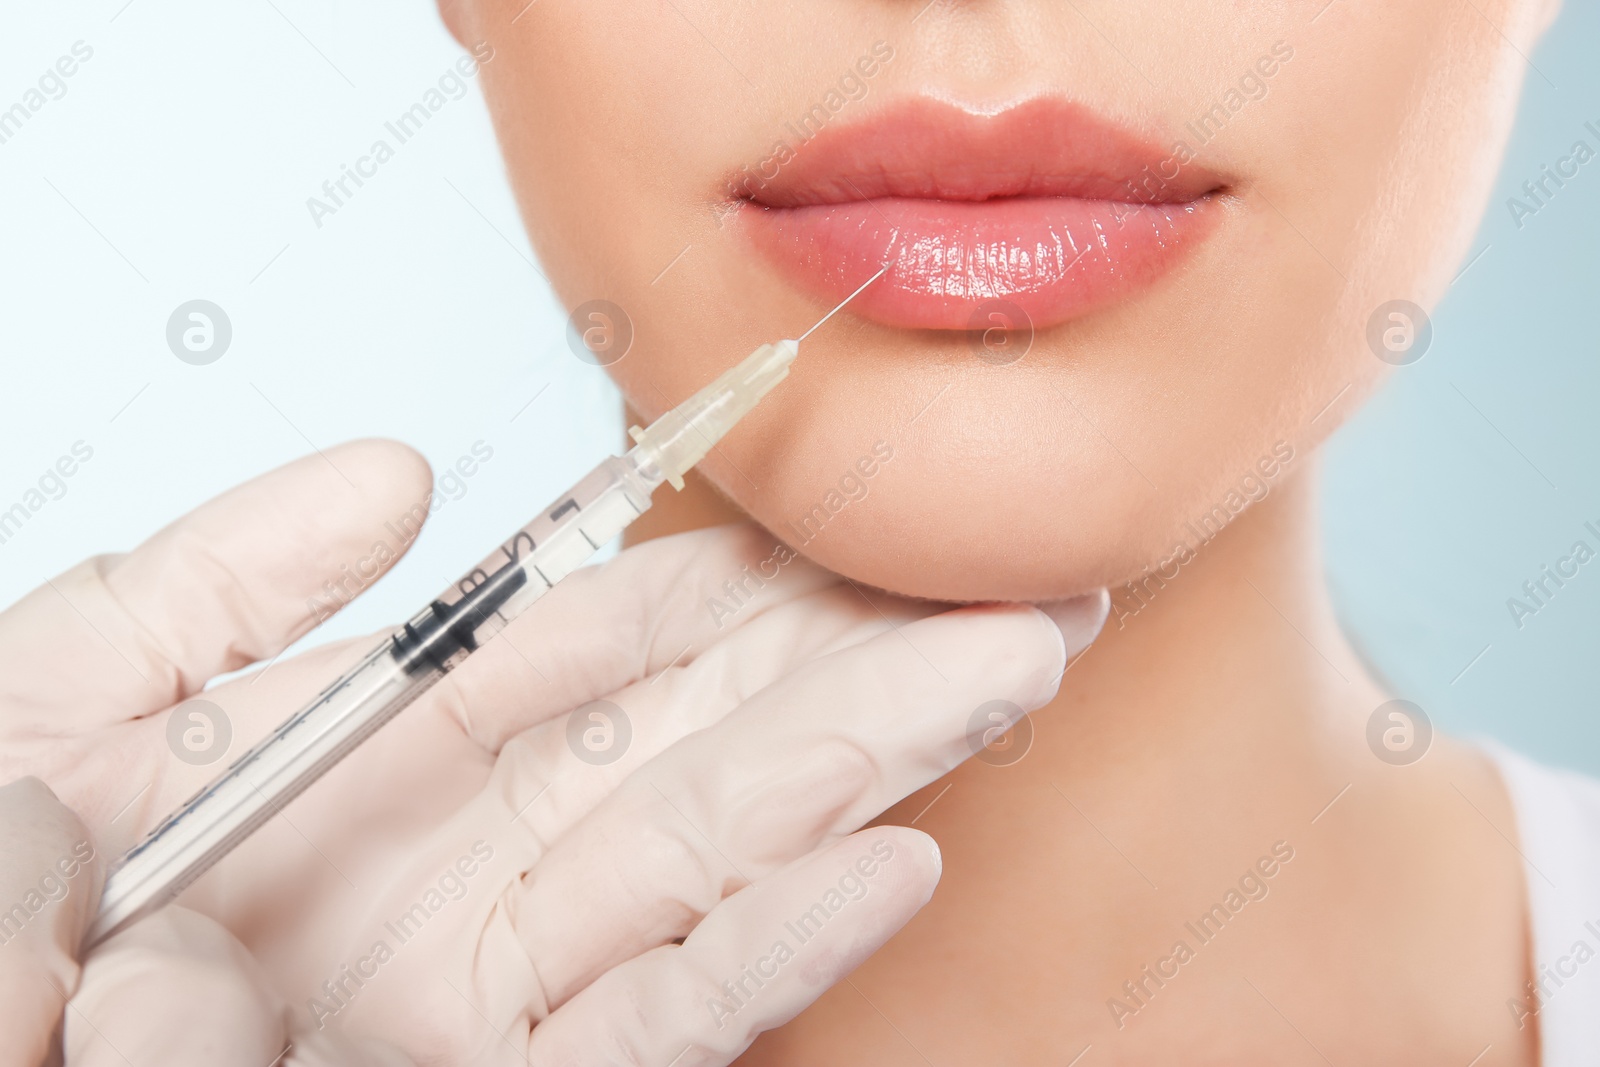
[188, 148]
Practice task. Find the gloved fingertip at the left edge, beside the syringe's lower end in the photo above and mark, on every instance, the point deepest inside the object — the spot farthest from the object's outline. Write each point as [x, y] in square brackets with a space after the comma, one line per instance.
[50, 882]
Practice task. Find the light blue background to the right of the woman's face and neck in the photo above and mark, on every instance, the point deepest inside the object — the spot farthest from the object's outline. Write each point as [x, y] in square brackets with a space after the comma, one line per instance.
[1439, 497]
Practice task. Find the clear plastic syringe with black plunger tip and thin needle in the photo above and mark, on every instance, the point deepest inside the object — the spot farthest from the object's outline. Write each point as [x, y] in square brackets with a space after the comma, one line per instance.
[434, 642]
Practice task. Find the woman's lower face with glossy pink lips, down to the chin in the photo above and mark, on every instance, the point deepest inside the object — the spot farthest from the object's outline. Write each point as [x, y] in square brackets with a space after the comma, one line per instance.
[1214, 322]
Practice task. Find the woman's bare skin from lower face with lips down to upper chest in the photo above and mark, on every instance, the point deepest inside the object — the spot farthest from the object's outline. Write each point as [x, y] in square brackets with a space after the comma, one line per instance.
[1215, 322]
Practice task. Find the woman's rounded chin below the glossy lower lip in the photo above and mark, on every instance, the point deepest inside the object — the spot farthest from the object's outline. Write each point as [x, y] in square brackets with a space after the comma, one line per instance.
[937, 505]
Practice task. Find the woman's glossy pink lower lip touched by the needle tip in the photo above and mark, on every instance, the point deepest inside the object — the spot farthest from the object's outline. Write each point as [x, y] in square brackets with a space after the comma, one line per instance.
[954, 265]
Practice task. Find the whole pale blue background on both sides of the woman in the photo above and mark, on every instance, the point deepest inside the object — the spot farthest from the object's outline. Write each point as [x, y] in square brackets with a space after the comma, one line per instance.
[178, 166]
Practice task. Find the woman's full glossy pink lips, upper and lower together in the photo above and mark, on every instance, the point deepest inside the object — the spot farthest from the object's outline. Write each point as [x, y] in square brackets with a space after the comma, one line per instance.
[1039, 214]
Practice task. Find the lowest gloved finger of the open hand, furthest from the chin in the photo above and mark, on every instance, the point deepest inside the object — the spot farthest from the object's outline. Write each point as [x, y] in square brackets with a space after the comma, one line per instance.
[754, 964]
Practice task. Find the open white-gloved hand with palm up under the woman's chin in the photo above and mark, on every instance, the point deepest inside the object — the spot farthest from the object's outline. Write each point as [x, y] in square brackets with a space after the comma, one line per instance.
[502, 874]
